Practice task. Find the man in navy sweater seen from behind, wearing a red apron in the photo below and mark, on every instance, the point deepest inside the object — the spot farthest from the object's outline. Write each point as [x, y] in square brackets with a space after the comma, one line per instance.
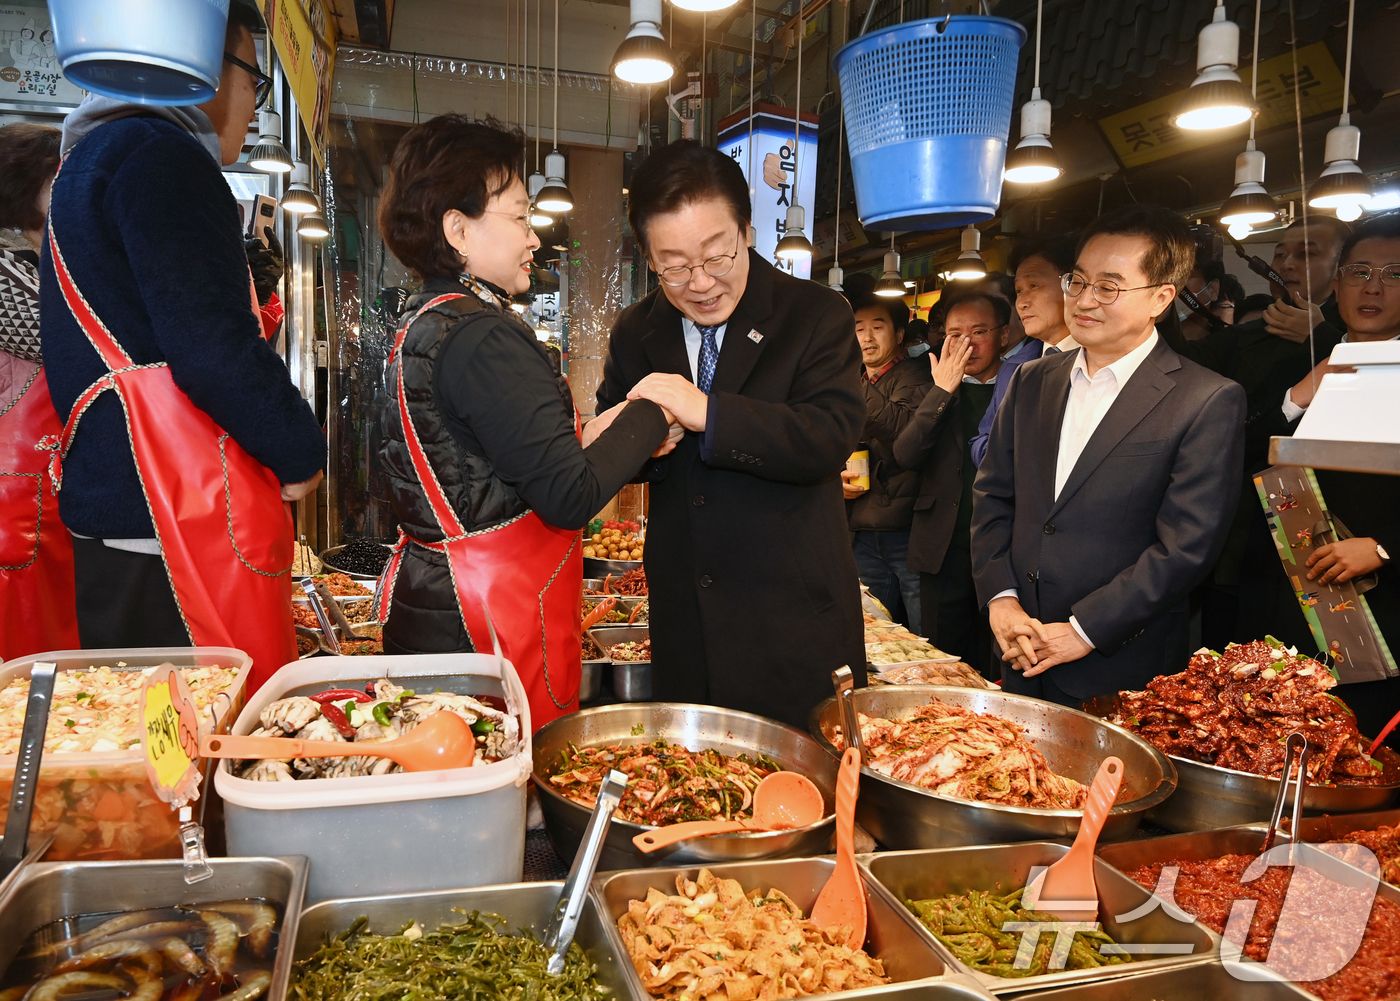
[149, 232]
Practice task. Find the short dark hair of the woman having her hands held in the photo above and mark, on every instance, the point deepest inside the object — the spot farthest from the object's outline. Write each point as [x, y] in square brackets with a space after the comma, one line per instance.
[447, 163]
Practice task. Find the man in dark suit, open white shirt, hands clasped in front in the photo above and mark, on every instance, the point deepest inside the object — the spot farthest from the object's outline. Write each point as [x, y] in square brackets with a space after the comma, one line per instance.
[1109, 479]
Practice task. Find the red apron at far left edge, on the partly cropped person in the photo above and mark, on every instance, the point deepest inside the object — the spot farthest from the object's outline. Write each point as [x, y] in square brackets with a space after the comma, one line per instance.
[37, 603]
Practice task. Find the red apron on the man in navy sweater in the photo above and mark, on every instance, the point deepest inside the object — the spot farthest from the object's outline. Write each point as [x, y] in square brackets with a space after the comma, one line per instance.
[226, 534]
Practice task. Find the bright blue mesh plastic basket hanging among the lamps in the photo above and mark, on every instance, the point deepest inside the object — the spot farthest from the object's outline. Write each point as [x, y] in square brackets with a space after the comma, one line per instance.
[927, 115]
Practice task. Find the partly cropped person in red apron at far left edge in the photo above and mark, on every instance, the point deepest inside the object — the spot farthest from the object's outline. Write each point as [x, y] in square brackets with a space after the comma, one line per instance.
[37, 604]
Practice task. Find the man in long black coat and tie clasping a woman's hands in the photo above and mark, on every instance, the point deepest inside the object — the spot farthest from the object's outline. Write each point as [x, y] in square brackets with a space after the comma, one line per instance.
[755, 598]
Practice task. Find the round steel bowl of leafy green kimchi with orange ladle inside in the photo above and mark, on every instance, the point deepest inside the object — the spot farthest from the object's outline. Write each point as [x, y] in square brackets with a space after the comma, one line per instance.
[696, 729]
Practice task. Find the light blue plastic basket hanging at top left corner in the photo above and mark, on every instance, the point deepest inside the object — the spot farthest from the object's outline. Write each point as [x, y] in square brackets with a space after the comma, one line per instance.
[159, 52]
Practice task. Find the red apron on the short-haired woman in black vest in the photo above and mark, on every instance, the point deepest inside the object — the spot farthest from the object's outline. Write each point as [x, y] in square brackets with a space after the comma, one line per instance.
[527, 573]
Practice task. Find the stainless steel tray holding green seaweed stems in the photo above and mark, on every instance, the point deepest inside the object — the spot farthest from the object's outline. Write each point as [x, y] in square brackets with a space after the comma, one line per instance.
[521, 905]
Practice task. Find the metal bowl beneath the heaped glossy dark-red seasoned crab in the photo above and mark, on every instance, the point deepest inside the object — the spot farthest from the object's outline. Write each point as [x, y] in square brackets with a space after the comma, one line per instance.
[1210, 797]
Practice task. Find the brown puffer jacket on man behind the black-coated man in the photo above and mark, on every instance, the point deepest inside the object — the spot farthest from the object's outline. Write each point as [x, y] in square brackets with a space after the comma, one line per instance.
[890, 405]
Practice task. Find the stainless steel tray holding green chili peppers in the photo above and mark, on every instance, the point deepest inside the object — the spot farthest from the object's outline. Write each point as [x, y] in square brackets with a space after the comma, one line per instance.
[918, 876]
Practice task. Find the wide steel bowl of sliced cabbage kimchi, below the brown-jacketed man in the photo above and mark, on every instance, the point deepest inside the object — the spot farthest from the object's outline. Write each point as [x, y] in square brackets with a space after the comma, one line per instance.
[904, 815]
